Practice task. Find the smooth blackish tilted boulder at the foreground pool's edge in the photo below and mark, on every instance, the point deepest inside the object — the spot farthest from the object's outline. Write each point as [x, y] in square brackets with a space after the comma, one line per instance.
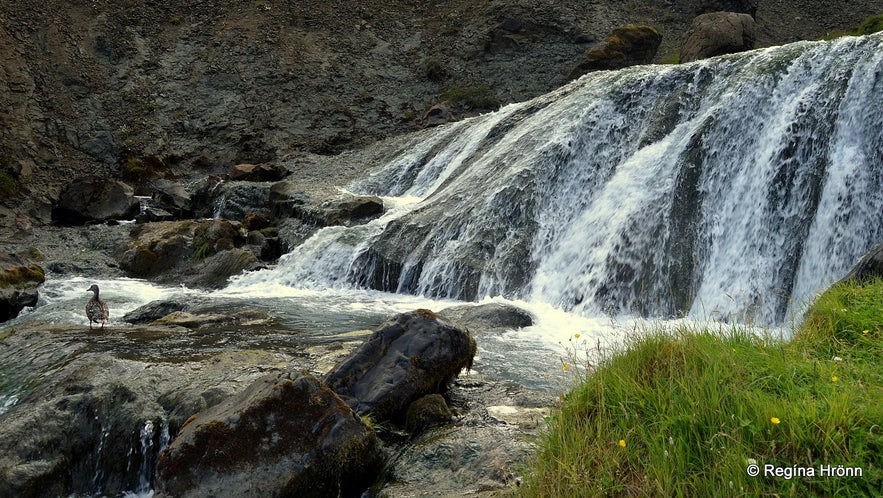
[411, 355]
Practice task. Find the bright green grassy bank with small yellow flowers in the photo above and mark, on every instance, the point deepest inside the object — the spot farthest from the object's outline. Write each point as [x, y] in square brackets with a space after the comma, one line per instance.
[687, 413]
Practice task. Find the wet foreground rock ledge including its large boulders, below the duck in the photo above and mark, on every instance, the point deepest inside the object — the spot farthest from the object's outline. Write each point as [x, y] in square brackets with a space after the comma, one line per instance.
[243, 407]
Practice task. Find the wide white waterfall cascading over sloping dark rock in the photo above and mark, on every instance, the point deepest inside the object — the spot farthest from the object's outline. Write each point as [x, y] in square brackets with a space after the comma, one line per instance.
[730, 188]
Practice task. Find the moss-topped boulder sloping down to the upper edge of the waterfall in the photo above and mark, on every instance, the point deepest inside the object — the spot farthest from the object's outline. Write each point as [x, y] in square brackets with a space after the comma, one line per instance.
[625, 46]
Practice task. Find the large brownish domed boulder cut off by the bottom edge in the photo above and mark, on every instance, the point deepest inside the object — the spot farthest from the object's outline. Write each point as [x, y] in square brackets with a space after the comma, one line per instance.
[284, 435]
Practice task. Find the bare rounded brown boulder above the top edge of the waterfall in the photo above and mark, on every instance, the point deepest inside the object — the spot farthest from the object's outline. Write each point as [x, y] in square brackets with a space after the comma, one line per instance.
[718, 33]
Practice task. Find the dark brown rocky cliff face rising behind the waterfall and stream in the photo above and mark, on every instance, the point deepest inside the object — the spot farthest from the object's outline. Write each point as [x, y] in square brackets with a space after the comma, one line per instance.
[142, 89]
